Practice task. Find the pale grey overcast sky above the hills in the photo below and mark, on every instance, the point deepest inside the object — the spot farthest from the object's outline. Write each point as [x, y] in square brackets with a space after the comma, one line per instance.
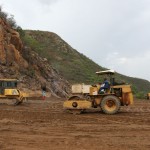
[113, 33]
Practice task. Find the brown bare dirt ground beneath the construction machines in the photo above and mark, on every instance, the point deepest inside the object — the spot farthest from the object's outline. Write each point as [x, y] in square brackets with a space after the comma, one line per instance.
[44, 125]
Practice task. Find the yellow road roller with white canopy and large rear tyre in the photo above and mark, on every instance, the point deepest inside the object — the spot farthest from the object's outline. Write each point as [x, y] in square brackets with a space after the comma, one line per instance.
[87, 96]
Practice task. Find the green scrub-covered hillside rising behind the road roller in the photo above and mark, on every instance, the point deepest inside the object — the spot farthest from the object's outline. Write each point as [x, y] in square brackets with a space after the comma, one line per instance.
[71, 64]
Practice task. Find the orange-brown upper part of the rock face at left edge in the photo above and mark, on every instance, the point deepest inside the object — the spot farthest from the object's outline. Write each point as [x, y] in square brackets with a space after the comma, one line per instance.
[10, 45]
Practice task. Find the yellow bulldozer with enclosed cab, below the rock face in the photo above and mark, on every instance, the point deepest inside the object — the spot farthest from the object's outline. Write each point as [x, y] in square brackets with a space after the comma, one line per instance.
[9, 93]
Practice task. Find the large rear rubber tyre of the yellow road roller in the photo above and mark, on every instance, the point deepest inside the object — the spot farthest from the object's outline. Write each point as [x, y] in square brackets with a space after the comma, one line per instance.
[110, 104]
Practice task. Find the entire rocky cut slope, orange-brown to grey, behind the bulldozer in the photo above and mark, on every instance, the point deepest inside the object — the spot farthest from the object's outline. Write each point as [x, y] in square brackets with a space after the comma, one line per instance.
[18, 61]
